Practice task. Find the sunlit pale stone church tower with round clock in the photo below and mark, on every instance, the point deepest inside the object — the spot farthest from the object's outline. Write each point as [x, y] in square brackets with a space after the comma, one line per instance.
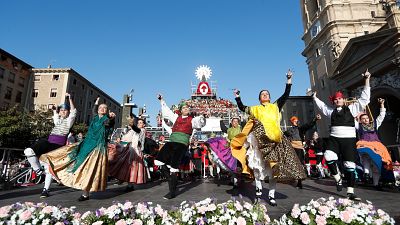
[328, 27]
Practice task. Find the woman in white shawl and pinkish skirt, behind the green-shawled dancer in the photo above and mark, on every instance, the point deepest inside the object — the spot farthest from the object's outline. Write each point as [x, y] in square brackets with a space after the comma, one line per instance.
[126, 160]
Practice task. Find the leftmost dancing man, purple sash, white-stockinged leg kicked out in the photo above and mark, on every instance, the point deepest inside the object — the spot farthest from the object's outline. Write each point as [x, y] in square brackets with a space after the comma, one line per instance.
[63, 118]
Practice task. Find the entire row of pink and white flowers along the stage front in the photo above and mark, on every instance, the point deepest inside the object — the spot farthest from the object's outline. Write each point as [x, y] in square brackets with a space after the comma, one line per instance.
[320, 212]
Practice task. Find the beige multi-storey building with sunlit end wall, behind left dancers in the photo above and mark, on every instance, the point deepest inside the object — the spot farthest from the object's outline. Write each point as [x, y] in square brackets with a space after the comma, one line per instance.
[51, 84]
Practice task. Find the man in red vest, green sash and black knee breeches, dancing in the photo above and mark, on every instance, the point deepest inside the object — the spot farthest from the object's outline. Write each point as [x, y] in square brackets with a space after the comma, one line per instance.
[170, 156]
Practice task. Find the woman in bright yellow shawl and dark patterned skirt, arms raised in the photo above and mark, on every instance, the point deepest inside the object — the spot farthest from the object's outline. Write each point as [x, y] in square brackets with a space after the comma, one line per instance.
[269, 153]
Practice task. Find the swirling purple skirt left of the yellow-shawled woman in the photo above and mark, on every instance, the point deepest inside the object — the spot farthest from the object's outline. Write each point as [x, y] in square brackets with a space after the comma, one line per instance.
[220, 147]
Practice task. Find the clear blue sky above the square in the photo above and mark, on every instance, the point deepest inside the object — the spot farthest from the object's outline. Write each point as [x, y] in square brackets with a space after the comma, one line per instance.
[155, 46]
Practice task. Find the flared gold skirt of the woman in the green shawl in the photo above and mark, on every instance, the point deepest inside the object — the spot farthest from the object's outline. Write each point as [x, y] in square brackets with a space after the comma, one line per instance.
[91, 176]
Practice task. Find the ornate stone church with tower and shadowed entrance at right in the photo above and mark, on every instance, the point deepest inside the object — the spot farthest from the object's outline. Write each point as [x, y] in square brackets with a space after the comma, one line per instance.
[354, 36]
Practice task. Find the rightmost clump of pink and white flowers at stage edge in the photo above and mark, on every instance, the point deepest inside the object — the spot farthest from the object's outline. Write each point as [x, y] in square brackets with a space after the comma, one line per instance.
[335, 211]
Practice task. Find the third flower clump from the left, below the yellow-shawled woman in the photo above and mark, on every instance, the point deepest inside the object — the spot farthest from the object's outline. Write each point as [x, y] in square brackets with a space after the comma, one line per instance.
[227, 213]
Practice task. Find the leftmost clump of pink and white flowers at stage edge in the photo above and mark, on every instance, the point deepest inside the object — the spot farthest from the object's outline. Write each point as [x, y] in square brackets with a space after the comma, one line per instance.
[40, 213]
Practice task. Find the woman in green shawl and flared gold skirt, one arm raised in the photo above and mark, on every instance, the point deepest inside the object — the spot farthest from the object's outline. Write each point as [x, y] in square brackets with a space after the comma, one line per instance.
[84, 165]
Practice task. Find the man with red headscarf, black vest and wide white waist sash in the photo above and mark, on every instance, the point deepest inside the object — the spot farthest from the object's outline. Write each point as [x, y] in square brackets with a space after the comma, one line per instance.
[342, 139]
